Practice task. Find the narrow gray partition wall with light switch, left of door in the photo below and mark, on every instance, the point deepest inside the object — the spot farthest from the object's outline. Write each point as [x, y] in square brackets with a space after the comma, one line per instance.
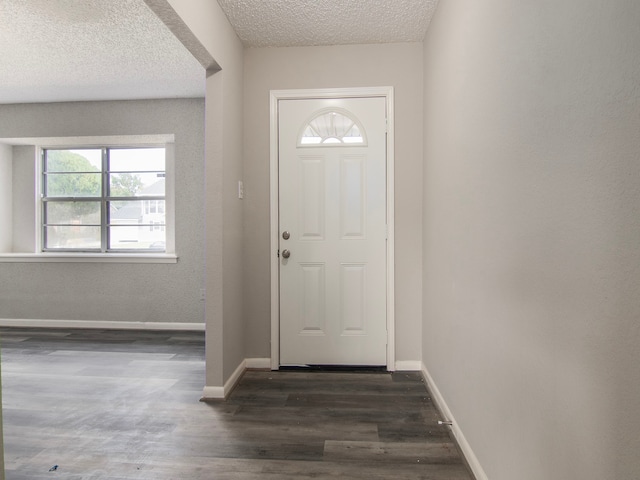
[224, 211]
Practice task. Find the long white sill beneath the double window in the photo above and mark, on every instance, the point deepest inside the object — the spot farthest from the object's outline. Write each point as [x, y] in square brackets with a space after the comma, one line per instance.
[87, 258]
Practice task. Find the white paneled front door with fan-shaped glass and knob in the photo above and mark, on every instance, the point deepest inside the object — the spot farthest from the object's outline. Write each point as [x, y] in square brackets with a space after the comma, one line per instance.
[333, 230]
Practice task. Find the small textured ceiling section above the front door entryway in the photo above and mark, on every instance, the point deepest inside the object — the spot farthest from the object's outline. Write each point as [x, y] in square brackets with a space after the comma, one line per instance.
[284, 23]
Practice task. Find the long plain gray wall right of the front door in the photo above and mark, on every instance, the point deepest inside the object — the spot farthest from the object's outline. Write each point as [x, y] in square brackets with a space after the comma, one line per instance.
[531, 231]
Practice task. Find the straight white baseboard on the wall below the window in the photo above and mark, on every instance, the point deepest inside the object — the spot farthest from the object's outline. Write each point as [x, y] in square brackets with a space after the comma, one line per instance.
[101, 324]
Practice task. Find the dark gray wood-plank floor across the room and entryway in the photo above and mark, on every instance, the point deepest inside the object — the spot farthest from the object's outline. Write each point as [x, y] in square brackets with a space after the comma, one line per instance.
[99, 404]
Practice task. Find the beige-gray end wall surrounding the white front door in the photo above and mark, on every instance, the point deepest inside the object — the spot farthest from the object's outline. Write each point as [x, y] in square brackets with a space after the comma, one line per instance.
[397, 65]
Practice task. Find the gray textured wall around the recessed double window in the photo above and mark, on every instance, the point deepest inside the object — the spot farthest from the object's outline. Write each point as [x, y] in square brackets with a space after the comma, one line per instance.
[115, 292]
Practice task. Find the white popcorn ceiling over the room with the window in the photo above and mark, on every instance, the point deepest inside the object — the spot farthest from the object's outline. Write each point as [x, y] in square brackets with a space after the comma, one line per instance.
[59, 50]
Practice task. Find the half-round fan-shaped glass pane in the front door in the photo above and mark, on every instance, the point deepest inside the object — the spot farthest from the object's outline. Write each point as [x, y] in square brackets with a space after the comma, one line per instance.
[332, 127]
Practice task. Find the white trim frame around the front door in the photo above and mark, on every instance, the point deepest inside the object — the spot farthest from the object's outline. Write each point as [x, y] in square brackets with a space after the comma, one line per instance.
[387, 94]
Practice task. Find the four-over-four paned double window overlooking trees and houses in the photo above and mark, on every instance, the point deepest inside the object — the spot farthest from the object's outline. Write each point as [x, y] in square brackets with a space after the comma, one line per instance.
[104, 199]
